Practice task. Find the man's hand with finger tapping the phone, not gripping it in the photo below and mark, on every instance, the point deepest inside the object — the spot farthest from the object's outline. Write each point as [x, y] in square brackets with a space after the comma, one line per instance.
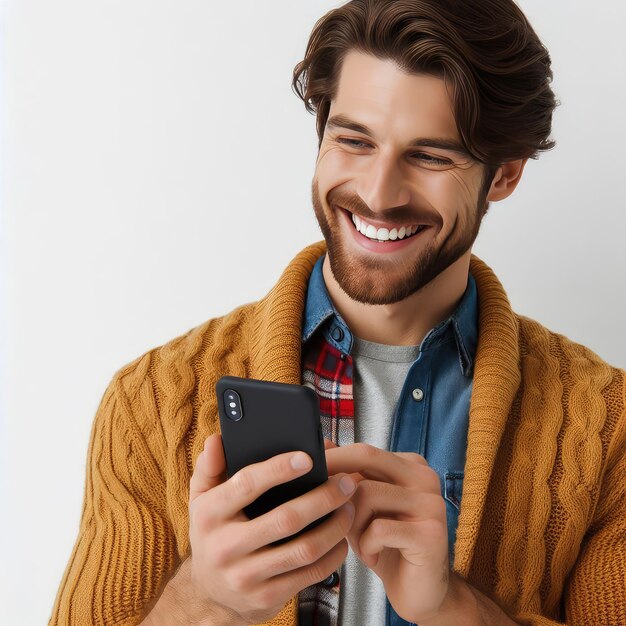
[400, 529]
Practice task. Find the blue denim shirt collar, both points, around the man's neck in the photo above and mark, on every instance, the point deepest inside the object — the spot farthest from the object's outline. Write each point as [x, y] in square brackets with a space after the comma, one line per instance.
[462, 326]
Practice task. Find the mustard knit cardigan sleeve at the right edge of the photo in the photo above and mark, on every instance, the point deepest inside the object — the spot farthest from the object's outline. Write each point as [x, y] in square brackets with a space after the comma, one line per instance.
[595, 590]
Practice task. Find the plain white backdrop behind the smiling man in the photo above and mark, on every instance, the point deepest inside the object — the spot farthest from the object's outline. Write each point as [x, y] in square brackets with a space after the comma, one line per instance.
[156, 172]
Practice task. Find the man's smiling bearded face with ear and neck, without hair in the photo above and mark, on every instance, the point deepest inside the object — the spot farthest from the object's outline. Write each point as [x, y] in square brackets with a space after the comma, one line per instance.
[404, 200]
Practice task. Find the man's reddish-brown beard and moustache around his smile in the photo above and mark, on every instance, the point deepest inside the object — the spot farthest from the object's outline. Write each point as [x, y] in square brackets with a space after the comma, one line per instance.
[373, 278]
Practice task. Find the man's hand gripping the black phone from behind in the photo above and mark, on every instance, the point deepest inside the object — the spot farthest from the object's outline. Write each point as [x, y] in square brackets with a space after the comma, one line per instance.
[232, 563]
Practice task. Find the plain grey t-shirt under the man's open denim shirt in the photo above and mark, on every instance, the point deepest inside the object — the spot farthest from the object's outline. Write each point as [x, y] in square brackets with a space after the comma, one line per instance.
[379, 374]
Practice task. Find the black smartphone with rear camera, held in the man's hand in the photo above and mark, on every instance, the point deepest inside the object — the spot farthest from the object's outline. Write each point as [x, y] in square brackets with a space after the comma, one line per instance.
[260, 419]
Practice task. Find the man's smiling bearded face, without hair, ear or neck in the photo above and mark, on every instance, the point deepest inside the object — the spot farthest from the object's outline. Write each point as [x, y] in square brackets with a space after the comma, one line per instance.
[392, 183]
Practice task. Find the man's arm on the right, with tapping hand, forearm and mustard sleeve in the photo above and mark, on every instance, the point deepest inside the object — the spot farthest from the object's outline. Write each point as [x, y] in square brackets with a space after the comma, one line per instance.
[594, 594]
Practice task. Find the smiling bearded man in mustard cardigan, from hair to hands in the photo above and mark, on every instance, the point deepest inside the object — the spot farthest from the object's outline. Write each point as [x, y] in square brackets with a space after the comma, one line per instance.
[475, 458]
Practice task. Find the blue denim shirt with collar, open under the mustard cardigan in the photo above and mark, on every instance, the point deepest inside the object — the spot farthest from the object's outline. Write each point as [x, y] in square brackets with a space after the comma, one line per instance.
[432, 413]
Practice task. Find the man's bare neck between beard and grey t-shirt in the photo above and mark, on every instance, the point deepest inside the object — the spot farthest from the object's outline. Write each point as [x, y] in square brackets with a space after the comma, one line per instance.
[407, 322]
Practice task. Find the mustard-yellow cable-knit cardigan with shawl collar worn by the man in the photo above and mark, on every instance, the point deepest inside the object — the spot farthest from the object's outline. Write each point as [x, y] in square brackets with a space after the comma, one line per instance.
[542, 525]
